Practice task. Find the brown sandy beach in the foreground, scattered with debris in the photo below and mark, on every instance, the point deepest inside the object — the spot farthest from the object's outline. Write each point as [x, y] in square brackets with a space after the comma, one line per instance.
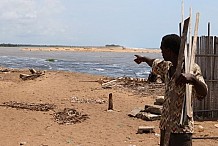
[102, 128]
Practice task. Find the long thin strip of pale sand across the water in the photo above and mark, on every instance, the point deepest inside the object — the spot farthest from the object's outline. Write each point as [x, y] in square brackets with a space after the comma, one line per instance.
[94, 49]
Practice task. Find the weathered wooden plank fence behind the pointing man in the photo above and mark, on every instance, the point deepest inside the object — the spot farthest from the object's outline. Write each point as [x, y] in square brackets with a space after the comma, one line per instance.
[209, 72]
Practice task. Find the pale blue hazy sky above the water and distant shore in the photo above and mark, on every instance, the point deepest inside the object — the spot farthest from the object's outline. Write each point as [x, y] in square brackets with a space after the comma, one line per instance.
[129, 23]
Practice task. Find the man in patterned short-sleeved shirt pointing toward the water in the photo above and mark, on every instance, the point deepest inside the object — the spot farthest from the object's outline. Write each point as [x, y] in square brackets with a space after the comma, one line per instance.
[181, 135]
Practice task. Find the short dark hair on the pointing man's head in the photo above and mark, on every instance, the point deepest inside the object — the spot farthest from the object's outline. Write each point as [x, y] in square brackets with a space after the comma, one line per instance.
[171, 41]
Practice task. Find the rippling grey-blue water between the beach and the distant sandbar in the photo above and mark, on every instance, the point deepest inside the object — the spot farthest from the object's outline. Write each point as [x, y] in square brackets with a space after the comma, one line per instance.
[100, 63]
